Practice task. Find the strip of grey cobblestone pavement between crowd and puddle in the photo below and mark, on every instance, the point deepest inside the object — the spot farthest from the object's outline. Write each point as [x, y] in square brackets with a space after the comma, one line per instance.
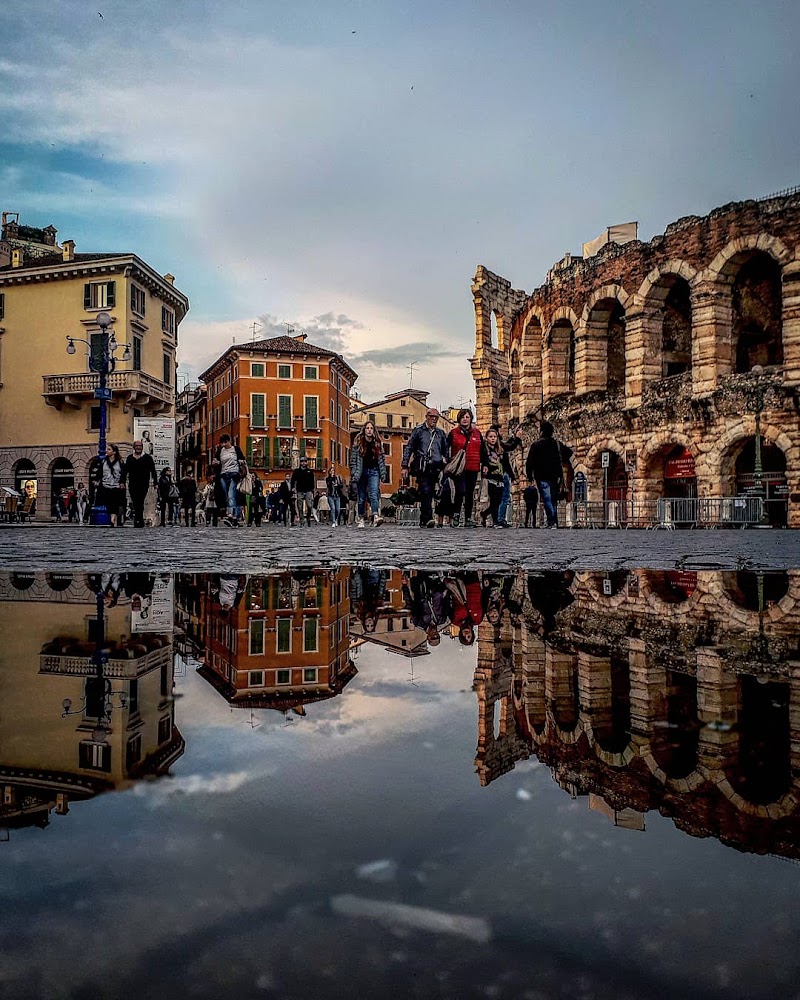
[250, 550]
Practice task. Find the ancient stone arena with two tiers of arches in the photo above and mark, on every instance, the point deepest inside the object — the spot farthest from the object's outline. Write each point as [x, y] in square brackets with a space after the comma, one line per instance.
[658, 361]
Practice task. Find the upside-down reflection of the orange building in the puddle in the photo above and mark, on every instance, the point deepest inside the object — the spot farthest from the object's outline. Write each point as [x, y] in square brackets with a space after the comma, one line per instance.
[279, 641]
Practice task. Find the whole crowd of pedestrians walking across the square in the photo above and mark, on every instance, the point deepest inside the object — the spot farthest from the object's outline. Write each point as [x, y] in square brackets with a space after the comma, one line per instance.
[463, 477]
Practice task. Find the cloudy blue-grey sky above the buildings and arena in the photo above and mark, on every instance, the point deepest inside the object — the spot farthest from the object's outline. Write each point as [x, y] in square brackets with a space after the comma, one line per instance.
[344, 165]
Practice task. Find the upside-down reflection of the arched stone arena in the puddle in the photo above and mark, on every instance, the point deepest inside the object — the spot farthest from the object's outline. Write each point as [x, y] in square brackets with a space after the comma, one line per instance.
[658, 693]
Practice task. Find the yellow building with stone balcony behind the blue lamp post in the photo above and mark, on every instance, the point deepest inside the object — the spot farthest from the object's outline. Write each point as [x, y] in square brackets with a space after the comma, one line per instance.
[49, 418]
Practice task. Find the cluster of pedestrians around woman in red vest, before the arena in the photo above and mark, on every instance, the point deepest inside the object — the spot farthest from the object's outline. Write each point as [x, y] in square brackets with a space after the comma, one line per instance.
[448, 467]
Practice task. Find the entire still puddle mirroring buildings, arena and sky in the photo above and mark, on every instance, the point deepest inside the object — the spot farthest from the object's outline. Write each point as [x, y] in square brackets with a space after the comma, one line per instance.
[352, 782]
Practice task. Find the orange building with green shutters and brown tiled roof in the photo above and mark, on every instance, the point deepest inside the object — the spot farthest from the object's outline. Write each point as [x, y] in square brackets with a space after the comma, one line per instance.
[281, 399]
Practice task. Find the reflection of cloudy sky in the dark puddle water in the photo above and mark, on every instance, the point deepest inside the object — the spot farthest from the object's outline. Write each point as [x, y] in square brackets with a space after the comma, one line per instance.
[232, 864]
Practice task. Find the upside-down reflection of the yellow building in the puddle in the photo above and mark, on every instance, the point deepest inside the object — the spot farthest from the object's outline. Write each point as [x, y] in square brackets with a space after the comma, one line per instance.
[48, 761]
